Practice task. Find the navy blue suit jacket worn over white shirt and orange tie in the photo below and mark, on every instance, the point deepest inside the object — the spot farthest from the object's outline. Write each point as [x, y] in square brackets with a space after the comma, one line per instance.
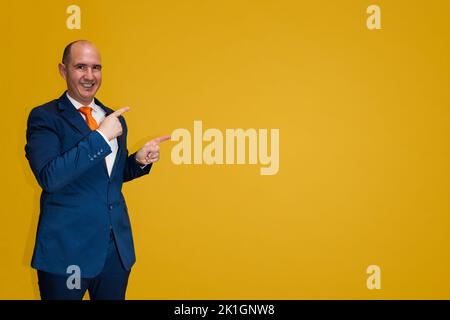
[79, 202]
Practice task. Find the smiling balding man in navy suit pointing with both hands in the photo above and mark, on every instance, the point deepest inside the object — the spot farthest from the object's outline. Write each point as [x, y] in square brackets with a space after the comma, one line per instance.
[77, 150]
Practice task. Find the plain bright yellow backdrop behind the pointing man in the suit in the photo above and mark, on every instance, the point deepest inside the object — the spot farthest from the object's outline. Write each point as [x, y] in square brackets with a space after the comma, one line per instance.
[364, 143]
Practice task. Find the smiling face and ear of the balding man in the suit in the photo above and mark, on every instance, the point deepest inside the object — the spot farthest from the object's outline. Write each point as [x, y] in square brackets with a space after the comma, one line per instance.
[83, 73]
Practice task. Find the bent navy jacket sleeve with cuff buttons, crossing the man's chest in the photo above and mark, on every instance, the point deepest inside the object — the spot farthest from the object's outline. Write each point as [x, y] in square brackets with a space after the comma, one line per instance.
[52, 168]
